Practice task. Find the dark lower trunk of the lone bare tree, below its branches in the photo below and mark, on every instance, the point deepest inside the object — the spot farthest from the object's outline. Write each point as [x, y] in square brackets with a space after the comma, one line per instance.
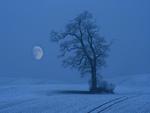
[93, 78]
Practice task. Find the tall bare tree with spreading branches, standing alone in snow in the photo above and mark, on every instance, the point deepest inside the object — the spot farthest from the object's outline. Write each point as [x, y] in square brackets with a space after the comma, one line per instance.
[82, 47]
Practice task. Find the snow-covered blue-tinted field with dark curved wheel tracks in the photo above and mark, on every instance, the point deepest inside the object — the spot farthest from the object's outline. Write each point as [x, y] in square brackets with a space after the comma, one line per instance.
[132, 95]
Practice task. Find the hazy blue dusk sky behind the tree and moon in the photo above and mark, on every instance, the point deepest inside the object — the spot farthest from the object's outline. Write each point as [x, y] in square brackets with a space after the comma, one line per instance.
[26, 23]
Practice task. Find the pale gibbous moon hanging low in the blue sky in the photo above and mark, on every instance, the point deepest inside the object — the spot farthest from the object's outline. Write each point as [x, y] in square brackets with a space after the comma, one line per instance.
[38, 52]
